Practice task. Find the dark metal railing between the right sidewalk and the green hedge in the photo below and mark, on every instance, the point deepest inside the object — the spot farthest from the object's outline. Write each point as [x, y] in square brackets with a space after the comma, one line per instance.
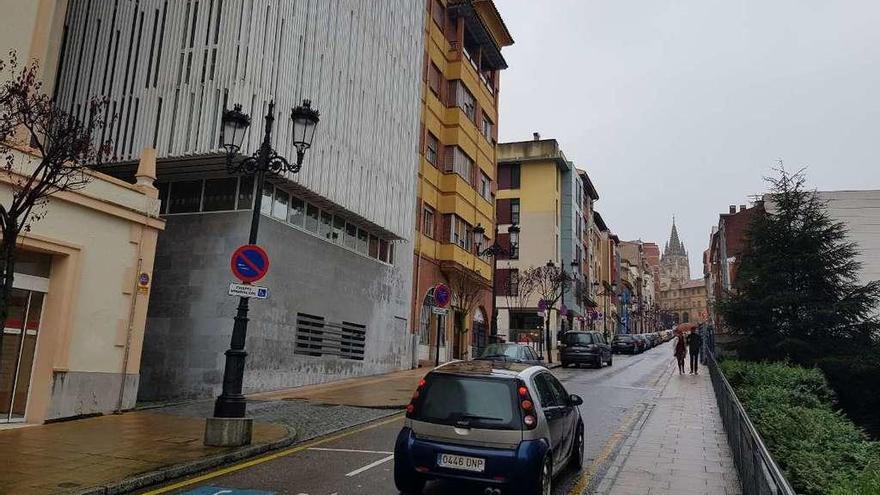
[758, 472]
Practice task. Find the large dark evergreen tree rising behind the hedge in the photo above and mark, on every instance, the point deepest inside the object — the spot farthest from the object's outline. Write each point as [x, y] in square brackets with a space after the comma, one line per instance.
[796, 295]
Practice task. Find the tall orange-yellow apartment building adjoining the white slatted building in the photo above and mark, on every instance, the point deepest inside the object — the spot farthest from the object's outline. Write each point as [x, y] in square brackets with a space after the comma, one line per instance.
[457, 179]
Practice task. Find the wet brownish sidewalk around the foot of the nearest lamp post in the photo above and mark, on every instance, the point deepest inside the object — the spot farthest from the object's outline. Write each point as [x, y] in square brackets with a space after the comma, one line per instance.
[135, 449]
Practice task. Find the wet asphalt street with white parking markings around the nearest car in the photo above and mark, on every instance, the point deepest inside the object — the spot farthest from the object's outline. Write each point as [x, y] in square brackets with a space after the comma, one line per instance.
[360, 461]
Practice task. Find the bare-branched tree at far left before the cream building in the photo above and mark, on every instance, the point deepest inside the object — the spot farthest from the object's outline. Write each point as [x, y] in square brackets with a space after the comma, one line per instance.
[45, 151]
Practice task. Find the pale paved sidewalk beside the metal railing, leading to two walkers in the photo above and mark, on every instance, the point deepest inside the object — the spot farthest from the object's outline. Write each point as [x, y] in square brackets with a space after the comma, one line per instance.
[679, 446]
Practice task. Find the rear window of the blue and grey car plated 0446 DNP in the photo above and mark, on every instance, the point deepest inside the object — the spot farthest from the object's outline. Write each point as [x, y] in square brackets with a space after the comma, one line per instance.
[478, 402]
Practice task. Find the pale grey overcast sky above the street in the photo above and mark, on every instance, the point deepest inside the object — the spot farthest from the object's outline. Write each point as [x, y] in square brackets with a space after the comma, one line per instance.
[681, 107]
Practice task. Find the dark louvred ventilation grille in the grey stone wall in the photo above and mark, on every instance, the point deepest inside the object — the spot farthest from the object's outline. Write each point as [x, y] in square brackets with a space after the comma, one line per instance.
[317, 337]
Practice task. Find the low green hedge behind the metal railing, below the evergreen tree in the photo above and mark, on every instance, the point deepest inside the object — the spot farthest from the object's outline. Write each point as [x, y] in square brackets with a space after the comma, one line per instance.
[819, 449]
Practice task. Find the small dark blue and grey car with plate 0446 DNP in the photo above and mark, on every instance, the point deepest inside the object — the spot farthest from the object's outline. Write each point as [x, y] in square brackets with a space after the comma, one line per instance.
[506, 426]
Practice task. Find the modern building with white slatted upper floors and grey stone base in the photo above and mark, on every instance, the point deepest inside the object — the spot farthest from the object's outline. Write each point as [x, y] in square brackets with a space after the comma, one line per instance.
[338, 233]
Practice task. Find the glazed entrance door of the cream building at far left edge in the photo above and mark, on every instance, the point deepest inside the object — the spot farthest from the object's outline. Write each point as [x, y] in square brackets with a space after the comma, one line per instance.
[20, 345]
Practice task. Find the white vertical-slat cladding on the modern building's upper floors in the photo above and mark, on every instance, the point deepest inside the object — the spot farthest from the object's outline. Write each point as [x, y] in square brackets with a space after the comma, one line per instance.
[168, 66]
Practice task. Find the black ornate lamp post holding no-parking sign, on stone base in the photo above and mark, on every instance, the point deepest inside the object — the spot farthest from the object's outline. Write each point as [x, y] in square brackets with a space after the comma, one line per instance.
[231, 404]
